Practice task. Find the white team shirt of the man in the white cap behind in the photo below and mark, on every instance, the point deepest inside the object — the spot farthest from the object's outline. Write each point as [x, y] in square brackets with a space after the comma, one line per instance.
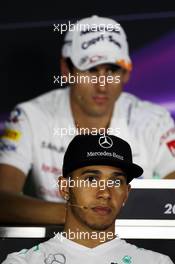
[32, 140]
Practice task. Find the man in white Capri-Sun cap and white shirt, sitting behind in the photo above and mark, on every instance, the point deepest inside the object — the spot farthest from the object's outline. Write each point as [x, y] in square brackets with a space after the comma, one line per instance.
[96, 63]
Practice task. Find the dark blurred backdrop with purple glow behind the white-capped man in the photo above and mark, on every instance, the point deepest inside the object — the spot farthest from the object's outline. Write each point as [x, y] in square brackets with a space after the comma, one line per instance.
[30, 49]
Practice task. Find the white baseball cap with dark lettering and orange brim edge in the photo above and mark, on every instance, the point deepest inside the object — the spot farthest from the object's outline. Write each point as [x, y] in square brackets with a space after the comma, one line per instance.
[96, 40]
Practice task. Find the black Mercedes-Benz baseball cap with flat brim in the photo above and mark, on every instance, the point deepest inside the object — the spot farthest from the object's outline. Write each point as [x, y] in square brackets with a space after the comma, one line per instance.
[86, 150]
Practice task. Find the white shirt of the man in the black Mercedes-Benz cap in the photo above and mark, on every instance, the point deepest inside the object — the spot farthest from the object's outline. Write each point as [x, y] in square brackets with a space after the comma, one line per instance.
[59, 250]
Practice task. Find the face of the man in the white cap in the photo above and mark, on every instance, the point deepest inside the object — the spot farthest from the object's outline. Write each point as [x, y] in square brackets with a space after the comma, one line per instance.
[97, 98]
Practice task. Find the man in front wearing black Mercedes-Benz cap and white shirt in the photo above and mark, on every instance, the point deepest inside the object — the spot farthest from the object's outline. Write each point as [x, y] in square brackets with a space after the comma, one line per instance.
[91, 209]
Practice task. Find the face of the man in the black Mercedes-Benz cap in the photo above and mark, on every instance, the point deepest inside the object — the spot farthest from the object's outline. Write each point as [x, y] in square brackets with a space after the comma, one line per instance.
[104, 194]
